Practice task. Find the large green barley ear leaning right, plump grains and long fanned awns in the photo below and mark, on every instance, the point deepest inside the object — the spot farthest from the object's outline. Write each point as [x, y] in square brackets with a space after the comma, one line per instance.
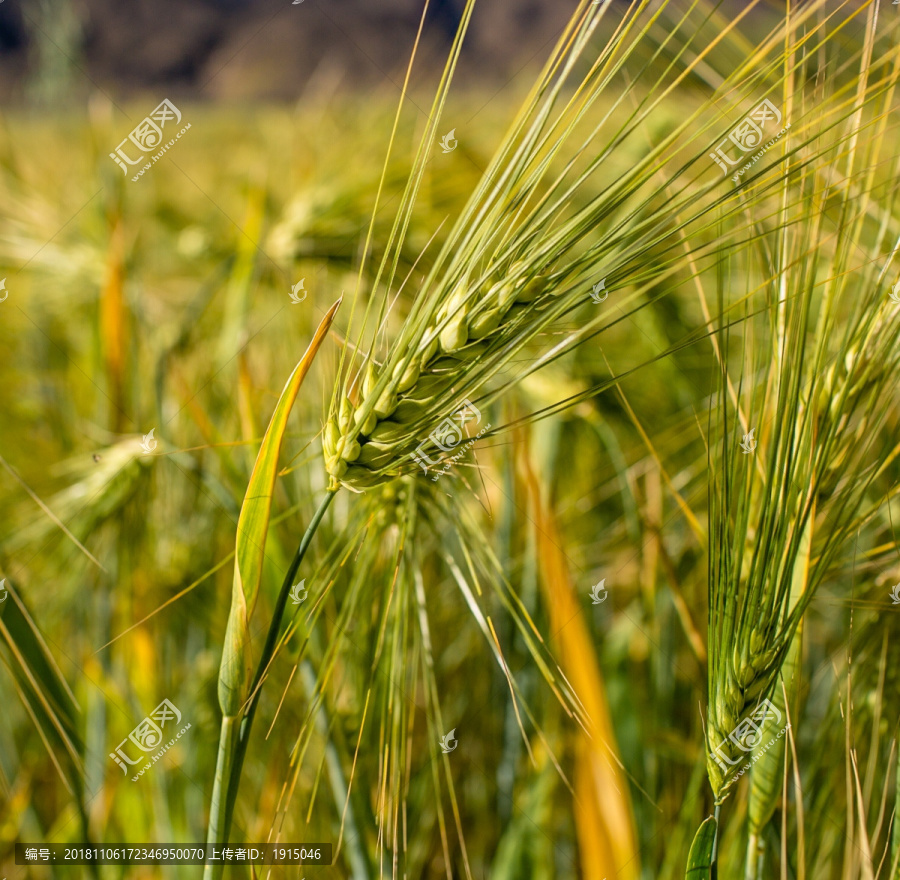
[526, 249]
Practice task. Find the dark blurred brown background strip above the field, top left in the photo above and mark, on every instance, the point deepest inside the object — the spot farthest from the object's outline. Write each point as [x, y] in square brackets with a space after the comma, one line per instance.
[52, 51]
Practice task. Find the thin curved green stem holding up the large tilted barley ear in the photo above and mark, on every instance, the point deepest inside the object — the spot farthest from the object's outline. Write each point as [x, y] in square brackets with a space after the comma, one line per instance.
[235, 730]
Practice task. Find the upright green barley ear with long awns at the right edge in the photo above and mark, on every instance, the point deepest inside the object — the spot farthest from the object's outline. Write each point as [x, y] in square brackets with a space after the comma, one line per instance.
[820, 356]
